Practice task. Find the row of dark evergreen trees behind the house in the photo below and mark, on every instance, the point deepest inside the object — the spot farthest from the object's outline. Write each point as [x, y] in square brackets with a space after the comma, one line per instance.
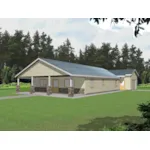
[19, 49]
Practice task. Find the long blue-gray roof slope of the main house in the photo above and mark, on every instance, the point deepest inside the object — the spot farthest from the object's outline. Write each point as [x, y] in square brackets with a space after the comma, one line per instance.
[78, 69]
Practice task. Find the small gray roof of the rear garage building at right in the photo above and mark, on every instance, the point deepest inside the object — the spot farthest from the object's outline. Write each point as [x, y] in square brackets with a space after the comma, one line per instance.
[122, 72]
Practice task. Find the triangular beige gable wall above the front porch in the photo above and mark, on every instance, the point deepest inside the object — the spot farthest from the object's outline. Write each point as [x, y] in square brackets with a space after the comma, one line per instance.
[40, 69]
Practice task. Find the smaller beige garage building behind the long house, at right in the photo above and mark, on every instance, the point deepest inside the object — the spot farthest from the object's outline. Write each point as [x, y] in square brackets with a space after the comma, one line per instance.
[128, 78]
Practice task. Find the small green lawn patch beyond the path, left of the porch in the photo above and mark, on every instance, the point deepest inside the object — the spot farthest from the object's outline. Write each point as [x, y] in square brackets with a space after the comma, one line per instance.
[11, 91]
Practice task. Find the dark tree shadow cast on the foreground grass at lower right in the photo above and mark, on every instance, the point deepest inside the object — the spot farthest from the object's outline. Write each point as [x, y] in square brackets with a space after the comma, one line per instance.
[98, 124]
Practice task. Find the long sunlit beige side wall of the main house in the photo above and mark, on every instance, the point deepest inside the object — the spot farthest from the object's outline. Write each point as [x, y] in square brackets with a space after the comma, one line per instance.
[100, 85]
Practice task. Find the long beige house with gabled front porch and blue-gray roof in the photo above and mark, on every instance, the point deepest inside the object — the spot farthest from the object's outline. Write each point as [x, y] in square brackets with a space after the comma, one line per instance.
[53, 76]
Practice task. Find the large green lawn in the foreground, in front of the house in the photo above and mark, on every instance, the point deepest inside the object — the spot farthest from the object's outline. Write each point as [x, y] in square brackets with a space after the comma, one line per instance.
[90, 113]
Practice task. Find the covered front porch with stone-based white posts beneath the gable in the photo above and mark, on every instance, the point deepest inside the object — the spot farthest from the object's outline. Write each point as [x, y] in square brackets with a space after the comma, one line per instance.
[51, 85]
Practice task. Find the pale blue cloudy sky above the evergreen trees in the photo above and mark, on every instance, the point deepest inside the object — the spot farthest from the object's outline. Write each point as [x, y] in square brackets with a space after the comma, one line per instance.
[81, 32]
